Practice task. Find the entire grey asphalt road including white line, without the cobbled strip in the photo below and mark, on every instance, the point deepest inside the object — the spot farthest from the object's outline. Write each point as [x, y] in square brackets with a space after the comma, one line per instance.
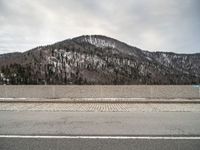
[65, 130]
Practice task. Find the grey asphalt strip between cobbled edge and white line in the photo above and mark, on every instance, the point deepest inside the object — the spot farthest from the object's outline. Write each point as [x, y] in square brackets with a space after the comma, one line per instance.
[100, 123]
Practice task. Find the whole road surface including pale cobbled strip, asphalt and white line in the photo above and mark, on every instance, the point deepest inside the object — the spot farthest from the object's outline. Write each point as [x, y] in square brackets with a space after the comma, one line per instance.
[140, 126]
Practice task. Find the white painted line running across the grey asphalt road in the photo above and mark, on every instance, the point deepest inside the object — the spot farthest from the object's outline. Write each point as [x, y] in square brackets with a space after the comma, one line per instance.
[103, 137]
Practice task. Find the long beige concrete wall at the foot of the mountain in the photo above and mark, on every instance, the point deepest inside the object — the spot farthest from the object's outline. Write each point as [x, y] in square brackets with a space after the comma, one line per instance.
[98, 91]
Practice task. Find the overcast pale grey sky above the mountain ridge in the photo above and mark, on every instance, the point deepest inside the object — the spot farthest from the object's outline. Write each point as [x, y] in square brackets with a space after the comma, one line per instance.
[154, 25]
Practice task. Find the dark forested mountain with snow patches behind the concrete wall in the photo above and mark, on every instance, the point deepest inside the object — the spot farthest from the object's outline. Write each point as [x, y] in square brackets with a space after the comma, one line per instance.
[97, 59]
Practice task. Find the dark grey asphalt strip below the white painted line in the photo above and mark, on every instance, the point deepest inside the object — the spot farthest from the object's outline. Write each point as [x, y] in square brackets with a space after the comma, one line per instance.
[97, 144]
